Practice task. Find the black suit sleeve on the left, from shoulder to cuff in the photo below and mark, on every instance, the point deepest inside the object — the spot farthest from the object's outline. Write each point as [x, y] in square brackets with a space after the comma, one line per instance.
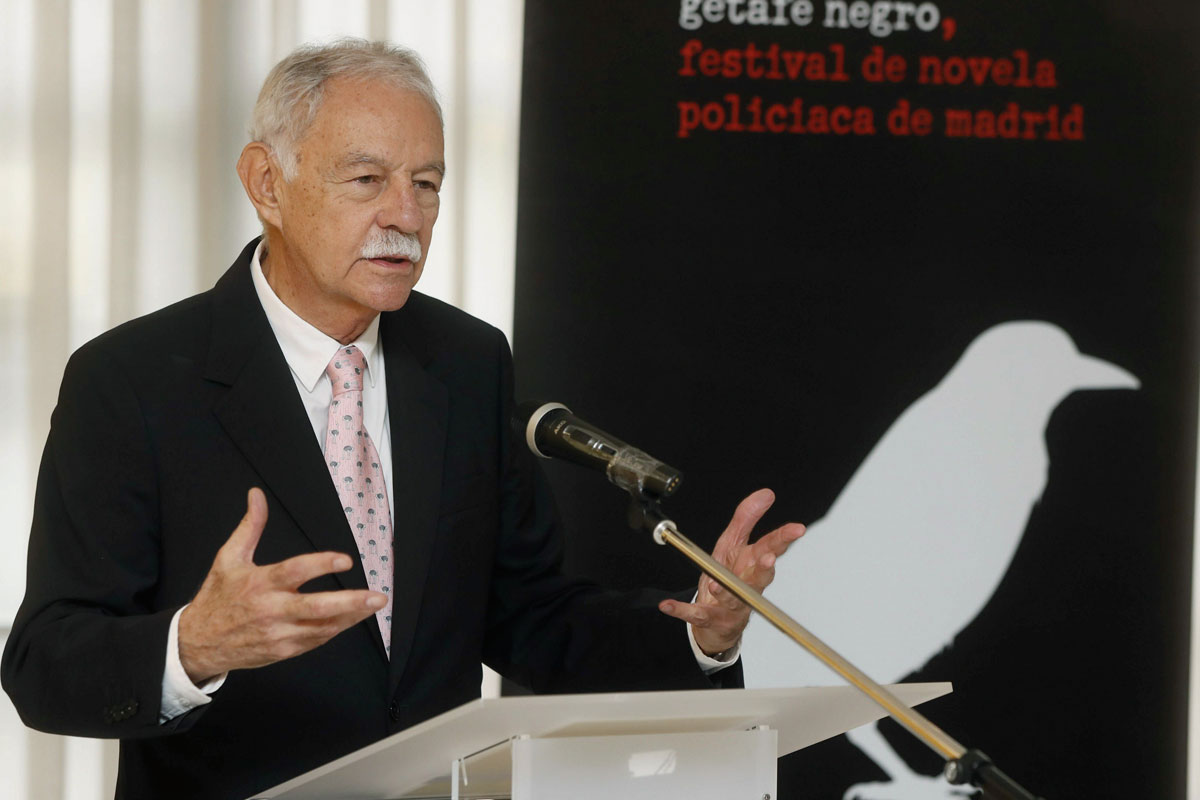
[93, 568]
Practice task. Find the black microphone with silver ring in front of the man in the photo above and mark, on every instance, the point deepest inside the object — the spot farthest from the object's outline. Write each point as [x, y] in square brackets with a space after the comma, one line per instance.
[553, 432]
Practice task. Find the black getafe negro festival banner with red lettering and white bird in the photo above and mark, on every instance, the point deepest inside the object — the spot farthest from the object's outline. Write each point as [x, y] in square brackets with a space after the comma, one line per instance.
[927, 270]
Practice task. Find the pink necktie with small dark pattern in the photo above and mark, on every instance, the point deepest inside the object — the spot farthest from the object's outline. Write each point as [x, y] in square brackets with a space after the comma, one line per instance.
[358, 476]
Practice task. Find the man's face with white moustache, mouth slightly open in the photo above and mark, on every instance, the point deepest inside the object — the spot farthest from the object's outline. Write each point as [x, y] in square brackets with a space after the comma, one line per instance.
[370, 167]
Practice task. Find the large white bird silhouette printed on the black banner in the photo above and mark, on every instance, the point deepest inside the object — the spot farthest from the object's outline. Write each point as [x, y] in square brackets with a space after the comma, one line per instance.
[917, 543]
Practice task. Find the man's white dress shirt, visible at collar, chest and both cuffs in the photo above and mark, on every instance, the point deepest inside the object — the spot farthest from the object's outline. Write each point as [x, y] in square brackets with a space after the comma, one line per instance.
[308, 353]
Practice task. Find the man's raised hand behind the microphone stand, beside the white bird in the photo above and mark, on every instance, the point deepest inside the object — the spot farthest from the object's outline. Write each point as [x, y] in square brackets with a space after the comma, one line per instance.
[717, 617]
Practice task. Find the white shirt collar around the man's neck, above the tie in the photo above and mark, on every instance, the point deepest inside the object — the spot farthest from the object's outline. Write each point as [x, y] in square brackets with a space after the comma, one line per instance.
[307, 350]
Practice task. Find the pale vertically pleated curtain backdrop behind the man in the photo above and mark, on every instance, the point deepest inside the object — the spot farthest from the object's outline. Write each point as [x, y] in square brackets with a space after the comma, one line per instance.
[121, 123]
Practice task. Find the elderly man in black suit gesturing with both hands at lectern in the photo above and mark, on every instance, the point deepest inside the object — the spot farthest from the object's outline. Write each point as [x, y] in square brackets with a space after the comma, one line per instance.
[316, 390]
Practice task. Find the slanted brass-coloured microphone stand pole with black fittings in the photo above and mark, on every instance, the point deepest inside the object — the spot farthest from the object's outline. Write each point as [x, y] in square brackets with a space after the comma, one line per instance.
[963, 766]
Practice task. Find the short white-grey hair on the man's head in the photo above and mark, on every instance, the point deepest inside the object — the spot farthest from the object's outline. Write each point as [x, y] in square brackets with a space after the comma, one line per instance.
[295, 89]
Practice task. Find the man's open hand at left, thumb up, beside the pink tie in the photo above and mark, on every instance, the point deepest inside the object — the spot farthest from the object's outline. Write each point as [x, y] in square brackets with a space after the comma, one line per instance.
[248, 616]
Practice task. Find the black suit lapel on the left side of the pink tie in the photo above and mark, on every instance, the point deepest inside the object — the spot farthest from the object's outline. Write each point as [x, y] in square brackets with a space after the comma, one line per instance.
[265, 417]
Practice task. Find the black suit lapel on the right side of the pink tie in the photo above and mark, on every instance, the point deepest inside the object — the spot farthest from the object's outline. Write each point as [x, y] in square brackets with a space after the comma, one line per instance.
[417, 408]
